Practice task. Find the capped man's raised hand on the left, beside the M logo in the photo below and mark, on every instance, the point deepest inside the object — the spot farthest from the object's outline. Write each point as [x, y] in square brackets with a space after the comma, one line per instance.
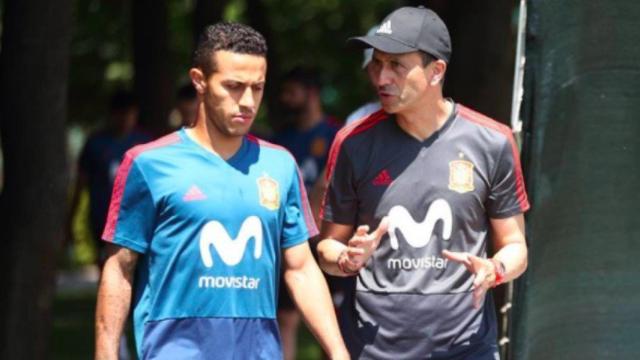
[361, 246]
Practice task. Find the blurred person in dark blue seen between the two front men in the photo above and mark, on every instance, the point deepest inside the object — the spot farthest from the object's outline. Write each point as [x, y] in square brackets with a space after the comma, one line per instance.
[308, 134]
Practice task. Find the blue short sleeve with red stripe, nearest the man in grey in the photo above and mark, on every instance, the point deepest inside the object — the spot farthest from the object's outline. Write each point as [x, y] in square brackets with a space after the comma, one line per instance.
[299, 225]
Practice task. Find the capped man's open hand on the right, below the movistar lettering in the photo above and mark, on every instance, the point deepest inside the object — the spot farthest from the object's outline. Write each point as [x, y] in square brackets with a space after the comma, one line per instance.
[484, 271]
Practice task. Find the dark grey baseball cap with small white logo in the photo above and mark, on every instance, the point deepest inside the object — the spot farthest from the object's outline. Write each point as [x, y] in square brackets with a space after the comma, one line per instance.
[410, 29]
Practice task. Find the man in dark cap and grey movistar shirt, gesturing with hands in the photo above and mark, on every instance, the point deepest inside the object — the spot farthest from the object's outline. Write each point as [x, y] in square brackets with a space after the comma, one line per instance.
[436, 181]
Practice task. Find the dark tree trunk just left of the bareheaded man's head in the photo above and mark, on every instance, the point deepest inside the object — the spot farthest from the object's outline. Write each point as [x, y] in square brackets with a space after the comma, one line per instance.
[153, 81]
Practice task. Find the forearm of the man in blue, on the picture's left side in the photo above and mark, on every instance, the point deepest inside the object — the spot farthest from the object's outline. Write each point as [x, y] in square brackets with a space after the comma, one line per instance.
[114, 299]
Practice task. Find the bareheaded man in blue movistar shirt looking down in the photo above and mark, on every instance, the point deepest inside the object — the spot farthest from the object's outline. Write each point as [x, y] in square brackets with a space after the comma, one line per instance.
[201, 221]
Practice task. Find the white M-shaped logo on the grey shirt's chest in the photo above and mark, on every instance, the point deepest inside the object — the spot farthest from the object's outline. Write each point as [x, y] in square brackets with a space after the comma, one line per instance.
[419, 234]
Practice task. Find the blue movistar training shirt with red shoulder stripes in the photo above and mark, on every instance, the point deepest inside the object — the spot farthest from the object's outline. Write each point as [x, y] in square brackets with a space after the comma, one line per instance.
[210, 233]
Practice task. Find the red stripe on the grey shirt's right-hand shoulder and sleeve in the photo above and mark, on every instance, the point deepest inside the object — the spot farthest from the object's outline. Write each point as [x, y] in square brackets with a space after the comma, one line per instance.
[487, 122]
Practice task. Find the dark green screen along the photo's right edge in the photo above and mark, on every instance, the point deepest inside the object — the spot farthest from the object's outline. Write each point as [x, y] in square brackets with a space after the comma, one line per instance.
[581, 293]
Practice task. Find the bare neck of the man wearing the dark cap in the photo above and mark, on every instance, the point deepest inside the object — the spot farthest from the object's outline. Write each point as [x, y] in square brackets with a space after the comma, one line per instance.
[425, 119]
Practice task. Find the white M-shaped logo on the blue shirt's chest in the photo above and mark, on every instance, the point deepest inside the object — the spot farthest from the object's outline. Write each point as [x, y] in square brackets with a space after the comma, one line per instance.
[230, 250]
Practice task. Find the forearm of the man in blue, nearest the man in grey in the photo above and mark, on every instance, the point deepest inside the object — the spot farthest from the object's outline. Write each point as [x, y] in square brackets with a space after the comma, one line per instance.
[310, 292]
